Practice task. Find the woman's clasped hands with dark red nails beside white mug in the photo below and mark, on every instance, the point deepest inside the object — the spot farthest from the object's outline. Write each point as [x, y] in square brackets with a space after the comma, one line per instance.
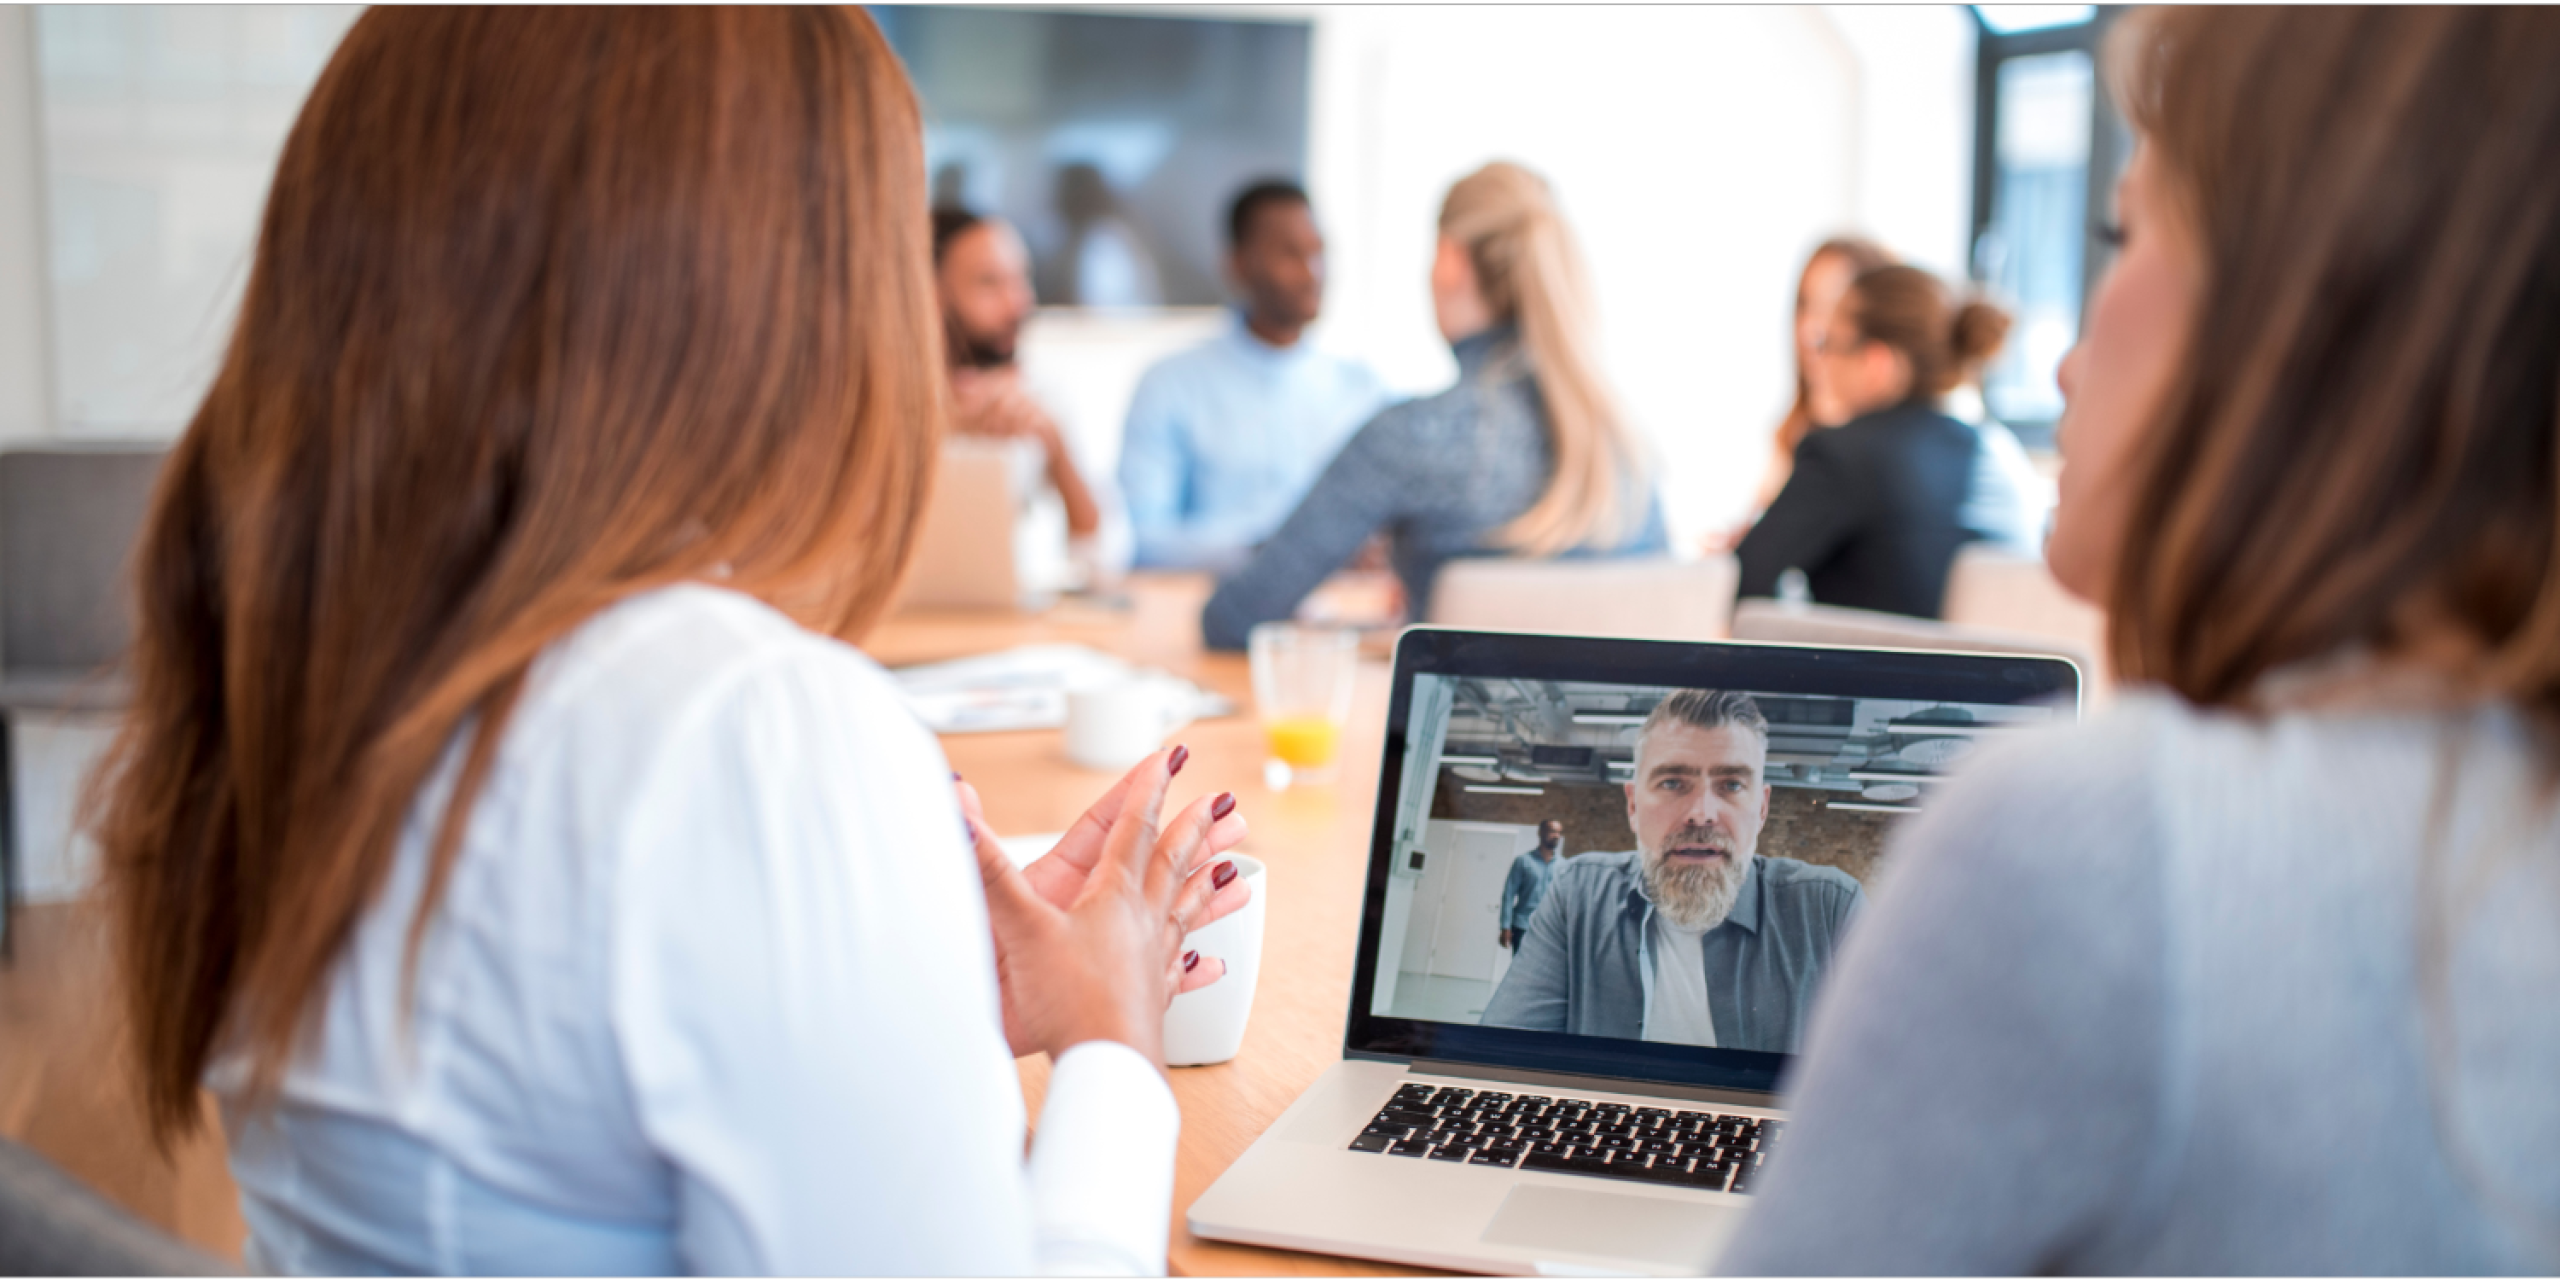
[1076, 928]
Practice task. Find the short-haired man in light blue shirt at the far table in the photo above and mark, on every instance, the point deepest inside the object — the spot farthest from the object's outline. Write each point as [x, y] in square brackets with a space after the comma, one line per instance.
[1228, 436]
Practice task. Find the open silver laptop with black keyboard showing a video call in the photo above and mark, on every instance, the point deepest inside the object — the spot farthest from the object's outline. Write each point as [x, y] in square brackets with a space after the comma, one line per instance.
[1601, 1094]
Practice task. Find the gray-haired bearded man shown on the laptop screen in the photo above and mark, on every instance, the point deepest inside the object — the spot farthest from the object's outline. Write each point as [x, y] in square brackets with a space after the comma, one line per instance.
[1693, 936]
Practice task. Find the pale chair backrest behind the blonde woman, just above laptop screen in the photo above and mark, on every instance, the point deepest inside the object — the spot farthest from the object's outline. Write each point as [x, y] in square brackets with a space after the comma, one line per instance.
[1642, 600]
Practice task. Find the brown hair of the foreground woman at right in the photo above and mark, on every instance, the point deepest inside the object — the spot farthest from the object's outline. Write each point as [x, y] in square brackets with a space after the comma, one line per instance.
[2362, 444]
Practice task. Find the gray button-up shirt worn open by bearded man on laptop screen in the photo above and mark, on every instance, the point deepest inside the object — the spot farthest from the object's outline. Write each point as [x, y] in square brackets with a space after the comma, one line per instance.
[1586, 964]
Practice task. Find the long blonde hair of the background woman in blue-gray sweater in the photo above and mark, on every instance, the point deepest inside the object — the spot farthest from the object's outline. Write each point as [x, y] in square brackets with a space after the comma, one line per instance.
[1532, 273]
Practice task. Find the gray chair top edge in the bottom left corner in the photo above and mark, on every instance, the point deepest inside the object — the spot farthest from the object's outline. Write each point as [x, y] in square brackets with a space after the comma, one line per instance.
[52, 1225]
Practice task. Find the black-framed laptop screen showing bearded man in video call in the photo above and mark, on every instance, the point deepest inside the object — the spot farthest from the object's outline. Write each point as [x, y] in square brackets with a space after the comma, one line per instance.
[1635, 859]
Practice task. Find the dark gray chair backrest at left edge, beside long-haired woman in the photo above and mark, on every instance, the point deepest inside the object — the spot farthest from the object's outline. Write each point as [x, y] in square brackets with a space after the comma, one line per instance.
[68, 526]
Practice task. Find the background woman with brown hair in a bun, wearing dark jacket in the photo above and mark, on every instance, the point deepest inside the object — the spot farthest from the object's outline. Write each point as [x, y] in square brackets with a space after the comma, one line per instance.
[1880, 506]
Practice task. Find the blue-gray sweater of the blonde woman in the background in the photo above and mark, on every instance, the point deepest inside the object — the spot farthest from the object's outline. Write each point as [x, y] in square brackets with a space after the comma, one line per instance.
[1437, 475]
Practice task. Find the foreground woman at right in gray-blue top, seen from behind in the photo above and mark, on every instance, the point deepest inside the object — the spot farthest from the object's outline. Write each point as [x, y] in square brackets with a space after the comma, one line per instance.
[2257, 972]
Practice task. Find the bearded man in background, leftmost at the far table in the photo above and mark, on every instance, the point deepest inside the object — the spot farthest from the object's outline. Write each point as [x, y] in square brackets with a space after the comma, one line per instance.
[984, 278]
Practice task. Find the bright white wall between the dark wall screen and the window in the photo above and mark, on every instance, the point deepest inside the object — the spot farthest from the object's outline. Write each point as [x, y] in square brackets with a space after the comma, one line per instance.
[1699, 155]
